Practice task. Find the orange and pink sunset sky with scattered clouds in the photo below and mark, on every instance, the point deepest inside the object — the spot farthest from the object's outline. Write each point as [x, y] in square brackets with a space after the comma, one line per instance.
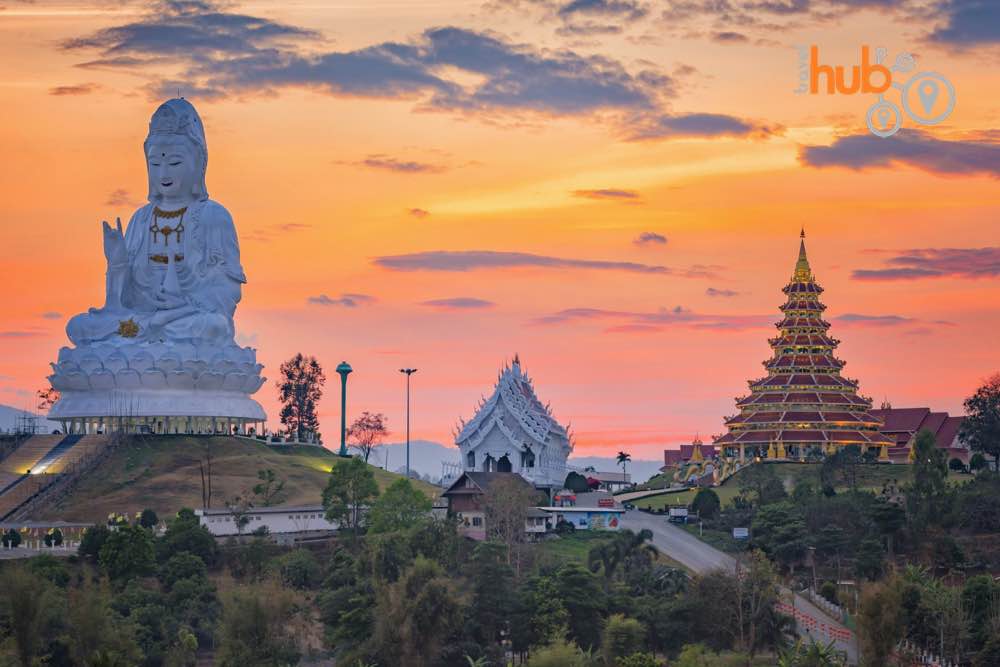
[612, 189]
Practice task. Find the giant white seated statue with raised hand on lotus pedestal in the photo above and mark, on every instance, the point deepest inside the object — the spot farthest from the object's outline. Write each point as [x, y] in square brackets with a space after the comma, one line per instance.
[162, 347]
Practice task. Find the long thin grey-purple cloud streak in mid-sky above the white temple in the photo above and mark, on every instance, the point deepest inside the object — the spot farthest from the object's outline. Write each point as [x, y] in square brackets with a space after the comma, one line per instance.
[471, 260]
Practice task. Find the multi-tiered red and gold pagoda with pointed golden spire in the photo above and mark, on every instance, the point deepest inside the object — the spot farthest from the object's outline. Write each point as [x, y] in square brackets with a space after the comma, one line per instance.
[803, 408]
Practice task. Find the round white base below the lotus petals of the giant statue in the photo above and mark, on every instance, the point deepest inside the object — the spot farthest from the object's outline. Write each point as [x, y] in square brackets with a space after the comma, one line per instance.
[157, 411]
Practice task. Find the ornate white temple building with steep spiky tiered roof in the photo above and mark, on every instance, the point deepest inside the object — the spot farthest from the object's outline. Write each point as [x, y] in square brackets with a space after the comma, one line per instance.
[513, 431]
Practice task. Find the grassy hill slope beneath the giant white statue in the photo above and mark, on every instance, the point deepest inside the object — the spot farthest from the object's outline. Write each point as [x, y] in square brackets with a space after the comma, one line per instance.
[162, 473]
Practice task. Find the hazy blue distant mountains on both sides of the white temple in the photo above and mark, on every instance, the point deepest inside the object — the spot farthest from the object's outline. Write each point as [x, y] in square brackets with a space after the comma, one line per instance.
[427, 456]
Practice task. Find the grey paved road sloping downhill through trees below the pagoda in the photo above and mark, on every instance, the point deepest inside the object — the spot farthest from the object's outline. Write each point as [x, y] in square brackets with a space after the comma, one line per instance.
[700, 558]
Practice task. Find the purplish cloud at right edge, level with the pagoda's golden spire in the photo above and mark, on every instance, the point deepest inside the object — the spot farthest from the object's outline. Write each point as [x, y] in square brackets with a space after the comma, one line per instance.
[926, 263]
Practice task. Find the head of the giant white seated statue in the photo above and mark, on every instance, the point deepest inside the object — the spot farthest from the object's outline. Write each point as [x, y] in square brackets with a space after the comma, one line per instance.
[176, 153]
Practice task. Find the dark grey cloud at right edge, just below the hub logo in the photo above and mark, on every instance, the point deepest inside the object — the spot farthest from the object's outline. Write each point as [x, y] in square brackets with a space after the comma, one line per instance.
[907, 147]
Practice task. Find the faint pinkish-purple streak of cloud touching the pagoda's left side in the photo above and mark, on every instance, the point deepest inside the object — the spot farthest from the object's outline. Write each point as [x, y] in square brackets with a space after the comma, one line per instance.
[624, 321]
